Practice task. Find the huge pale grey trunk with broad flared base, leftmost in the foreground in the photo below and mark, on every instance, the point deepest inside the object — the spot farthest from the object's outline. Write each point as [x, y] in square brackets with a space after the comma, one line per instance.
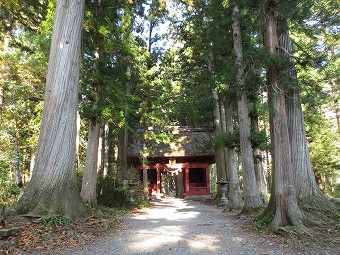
[53, 188]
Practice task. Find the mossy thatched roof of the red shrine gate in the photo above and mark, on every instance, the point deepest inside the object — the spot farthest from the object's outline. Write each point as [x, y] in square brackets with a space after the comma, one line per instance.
[178, 142]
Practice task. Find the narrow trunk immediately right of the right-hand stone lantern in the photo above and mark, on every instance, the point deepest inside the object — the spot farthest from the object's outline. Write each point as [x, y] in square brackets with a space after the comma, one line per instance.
[235, 199]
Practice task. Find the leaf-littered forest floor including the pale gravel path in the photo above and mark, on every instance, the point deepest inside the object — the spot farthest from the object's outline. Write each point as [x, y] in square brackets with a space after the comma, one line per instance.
[168, 226]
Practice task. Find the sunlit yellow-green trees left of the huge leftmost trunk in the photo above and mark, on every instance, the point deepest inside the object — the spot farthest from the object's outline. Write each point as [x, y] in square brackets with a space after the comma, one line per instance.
[22, 60]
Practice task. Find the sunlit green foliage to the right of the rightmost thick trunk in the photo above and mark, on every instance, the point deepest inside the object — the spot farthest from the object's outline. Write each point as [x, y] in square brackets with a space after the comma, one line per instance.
[316, 41]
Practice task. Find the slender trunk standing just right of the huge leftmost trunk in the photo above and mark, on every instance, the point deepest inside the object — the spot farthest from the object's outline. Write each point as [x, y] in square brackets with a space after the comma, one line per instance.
[89, 183]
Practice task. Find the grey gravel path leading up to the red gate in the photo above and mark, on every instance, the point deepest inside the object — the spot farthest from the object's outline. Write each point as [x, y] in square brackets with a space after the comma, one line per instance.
[176, 226]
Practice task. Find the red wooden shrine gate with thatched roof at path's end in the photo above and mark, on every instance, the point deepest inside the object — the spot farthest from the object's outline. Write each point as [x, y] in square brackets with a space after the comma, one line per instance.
[186, 159]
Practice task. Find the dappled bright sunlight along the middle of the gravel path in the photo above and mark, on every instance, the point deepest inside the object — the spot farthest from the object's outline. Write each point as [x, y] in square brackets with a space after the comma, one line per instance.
[168, 228]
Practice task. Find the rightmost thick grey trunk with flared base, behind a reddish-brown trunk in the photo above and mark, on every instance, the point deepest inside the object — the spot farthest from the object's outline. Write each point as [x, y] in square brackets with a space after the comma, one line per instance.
[305, 184]
